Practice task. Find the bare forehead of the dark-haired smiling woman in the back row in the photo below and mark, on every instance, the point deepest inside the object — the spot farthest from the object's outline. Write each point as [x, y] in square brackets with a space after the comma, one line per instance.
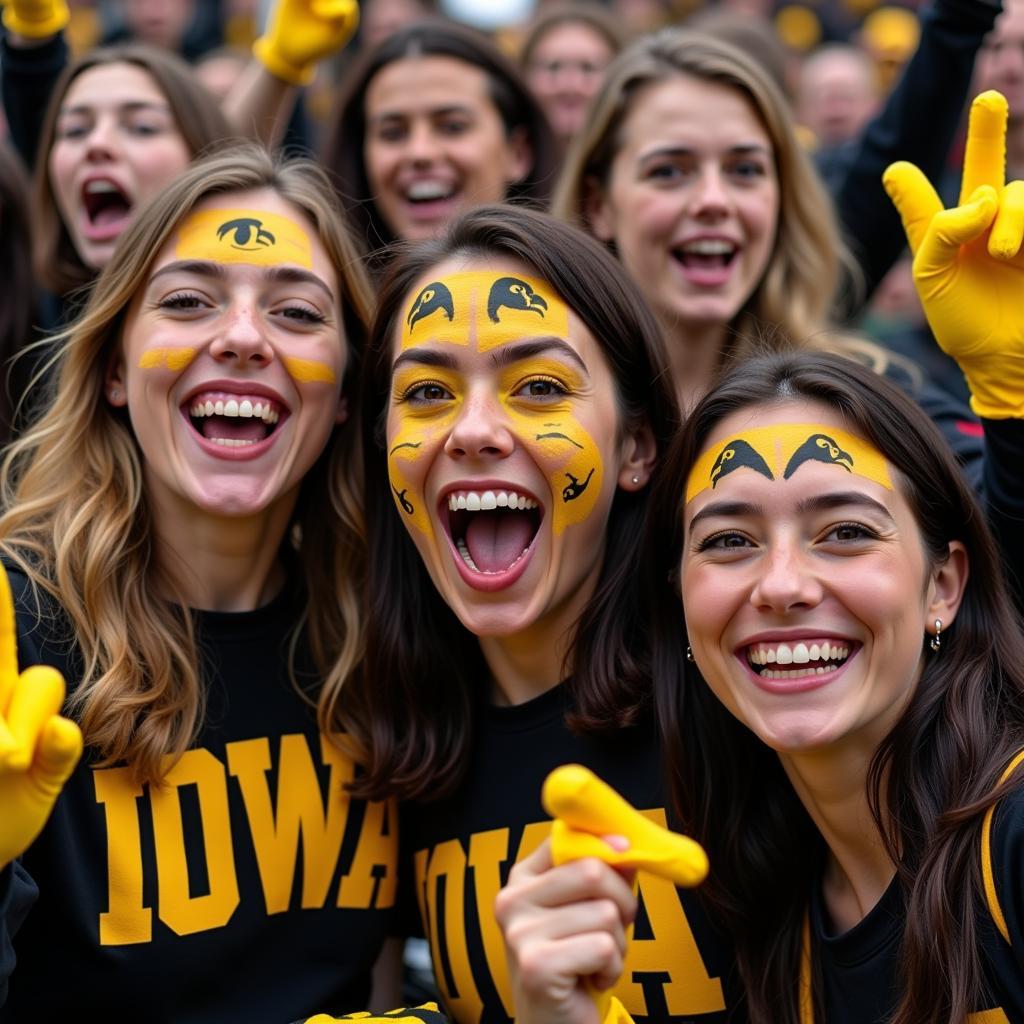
[425, 82]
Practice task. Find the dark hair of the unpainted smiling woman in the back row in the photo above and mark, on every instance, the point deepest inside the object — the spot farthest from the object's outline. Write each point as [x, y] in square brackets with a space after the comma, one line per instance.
[345, 152]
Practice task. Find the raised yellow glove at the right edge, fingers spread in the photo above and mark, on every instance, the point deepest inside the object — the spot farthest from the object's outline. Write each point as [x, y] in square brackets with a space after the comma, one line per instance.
[968, 267]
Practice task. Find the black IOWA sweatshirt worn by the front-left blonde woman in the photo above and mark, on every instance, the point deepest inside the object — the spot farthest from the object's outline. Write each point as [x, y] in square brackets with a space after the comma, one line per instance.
[247, 888]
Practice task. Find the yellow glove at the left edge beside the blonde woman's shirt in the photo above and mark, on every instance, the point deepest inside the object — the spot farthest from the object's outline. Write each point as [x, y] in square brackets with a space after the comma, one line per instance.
[38, 748]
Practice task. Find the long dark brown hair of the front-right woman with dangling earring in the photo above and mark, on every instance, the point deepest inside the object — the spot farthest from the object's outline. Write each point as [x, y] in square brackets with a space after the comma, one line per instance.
[935, 774]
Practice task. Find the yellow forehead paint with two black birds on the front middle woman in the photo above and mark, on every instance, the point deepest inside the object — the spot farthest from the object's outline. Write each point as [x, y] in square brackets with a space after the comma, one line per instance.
[487, 308]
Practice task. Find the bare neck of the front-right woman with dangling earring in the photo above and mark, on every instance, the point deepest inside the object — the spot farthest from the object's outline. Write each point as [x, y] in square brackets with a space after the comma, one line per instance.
[832, 787]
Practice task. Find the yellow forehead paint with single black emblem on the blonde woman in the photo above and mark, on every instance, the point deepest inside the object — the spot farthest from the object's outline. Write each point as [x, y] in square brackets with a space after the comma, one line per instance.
[244, 237]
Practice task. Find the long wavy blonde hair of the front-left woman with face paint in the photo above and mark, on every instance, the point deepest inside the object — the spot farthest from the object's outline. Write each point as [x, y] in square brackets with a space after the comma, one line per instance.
[78, 522]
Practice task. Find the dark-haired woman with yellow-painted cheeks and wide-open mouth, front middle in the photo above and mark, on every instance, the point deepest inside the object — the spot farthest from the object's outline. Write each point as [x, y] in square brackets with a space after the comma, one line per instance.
[516, 403]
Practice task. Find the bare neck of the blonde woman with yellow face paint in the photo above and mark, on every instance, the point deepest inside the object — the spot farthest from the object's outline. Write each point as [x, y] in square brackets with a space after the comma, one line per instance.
[221, 564]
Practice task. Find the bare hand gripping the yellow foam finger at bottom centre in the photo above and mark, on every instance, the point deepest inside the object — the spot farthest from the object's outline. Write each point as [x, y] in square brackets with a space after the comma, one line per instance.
[565, 929]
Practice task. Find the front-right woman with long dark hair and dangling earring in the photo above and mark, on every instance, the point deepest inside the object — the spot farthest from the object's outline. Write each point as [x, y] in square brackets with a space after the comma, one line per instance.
[844, 711]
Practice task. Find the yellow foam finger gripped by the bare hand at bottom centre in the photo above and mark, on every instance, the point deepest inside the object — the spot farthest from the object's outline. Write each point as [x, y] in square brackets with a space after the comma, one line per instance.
[584, 809]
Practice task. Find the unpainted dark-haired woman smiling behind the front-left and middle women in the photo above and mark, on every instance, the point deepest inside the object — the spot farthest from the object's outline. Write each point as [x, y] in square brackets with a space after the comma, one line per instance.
[433, 122]
